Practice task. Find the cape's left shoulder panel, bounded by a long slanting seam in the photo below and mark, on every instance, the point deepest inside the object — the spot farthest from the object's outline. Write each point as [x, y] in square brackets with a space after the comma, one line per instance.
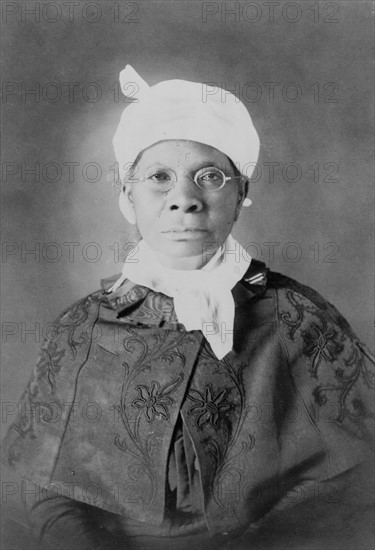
[33, 440]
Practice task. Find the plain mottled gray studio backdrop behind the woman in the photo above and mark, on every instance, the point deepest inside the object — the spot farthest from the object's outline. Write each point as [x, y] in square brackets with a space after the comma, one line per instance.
[301, 68]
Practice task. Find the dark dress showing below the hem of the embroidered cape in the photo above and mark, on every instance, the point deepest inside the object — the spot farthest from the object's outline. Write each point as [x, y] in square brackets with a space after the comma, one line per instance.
[339, 517]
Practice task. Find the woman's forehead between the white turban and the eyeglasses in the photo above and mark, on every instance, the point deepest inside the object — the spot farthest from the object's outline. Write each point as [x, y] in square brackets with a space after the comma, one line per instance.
[178, 152]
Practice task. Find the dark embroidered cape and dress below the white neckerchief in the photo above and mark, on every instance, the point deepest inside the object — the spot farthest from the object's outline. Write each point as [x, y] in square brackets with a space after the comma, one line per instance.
[131, 417]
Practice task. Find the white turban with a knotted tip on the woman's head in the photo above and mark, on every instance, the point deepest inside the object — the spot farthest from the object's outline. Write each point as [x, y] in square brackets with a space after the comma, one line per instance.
[179, 109]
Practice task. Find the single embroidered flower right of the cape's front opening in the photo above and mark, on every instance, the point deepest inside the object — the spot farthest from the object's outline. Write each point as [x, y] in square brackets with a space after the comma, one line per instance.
[210, 408]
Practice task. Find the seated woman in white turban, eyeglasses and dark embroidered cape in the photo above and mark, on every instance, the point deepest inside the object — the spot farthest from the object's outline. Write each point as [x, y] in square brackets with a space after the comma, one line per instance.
[198, 398]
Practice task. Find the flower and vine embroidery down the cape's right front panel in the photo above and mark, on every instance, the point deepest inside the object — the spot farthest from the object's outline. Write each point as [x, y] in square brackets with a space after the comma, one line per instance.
[225, 410]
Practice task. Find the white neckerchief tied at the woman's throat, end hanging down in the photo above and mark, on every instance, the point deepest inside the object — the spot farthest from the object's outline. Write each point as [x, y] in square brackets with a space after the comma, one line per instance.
[202, 297]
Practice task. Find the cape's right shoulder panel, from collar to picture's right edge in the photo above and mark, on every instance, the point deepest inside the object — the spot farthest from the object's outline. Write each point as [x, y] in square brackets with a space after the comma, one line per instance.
[331, 368]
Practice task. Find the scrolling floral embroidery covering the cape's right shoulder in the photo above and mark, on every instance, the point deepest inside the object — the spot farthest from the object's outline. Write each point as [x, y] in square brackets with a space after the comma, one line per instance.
[328, 338]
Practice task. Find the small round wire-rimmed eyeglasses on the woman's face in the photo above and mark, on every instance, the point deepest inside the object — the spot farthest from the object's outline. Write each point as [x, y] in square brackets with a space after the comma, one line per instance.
[210, 178]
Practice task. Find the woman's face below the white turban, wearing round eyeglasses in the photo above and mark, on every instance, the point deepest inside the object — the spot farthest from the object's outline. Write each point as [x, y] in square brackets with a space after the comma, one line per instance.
[185, 222]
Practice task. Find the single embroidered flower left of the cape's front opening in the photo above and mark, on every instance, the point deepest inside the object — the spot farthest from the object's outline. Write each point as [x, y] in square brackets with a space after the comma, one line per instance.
[155, 400]
